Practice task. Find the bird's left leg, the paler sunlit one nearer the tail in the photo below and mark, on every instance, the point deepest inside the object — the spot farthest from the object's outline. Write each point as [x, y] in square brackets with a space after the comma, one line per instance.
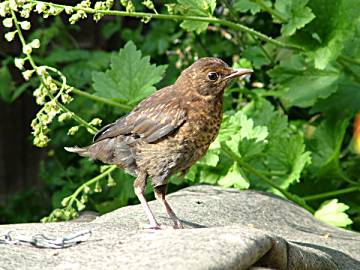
[139, 187]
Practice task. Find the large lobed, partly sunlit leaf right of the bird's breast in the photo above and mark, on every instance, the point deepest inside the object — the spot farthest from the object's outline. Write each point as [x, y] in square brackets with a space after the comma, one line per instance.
[262, 137]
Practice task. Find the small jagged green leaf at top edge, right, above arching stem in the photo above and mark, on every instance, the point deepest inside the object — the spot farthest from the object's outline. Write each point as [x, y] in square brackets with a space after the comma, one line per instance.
[295, 13]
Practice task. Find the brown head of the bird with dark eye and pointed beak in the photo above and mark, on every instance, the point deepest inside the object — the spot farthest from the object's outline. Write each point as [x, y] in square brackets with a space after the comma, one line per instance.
[210, 76]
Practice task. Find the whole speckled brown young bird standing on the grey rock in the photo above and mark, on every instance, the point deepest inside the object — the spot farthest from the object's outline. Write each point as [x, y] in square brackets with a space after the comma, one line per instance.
[168, 131]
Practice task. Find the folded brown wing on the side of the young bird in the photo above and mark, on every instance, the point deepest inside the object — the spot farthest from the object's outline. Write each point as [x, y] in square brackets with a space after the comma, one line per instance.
[151, 120]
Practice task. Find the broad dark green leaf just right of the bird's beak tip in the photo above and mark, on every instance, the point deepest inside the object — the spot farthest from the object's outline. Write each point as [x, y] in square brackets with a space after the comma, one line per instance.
[303, 85]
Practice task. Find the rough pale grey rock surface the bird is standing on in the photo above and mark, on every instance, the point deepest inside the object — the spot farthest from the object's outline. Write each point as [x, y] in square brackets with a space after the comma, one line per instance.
[225, 229]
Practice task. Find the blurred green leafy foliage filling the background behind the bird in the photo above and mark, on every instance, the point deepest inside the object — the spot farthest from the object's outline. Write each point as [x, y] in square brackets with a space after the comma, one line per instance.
[287, 130]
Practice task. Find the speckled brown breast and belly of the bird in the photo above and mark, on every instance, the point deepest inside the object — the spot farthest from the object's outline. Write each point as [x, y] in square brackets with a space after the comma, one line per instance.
[188, 144]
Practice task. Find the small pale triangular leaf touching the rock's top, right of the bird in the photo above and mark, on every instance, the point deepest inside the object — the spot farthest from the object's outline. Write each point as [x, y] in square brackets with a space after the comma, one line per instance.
[235, 178]
